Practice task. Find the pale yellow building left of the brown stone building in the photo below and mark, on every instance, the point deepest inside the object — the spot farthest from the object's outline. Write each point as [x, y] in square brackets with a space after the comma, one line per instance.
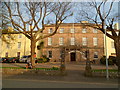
[15, 48]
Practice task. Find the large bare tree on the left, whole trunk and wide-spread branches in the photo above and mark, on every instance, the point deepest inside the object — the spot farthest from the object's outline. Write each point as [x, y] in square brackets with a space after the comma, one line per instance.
[35, 15]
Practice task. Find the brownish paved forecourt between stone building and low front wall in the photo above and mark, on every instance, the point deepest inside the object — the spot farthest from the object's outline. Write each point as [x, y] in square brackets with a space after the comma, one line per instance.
[69, 66]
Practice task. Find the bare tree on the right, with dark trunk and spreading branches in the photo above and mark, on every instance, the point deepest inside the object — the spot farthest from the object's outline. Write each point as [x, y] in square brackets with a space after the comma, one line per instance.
[103, 16]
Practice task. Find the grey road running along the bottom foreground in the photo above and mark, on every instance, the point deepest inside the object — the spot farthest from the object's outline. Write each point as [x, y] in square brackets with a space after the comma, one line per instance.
[19, 83]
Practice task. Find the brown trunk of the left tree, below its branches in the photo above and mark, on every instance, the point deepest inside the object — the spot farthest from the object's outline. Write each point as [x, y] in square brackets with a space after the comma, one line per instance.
[33, 45]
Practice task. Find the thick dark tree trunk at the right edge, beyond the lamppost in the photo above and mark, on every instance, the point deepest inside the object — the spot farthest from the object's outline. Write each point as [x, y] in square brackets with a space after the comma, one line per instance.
[117, 49]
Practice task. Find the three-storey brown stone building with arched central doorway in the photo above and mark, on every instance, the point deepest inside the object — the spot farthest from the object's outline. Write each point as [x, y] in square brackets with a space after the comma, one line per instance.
[72, 40]
